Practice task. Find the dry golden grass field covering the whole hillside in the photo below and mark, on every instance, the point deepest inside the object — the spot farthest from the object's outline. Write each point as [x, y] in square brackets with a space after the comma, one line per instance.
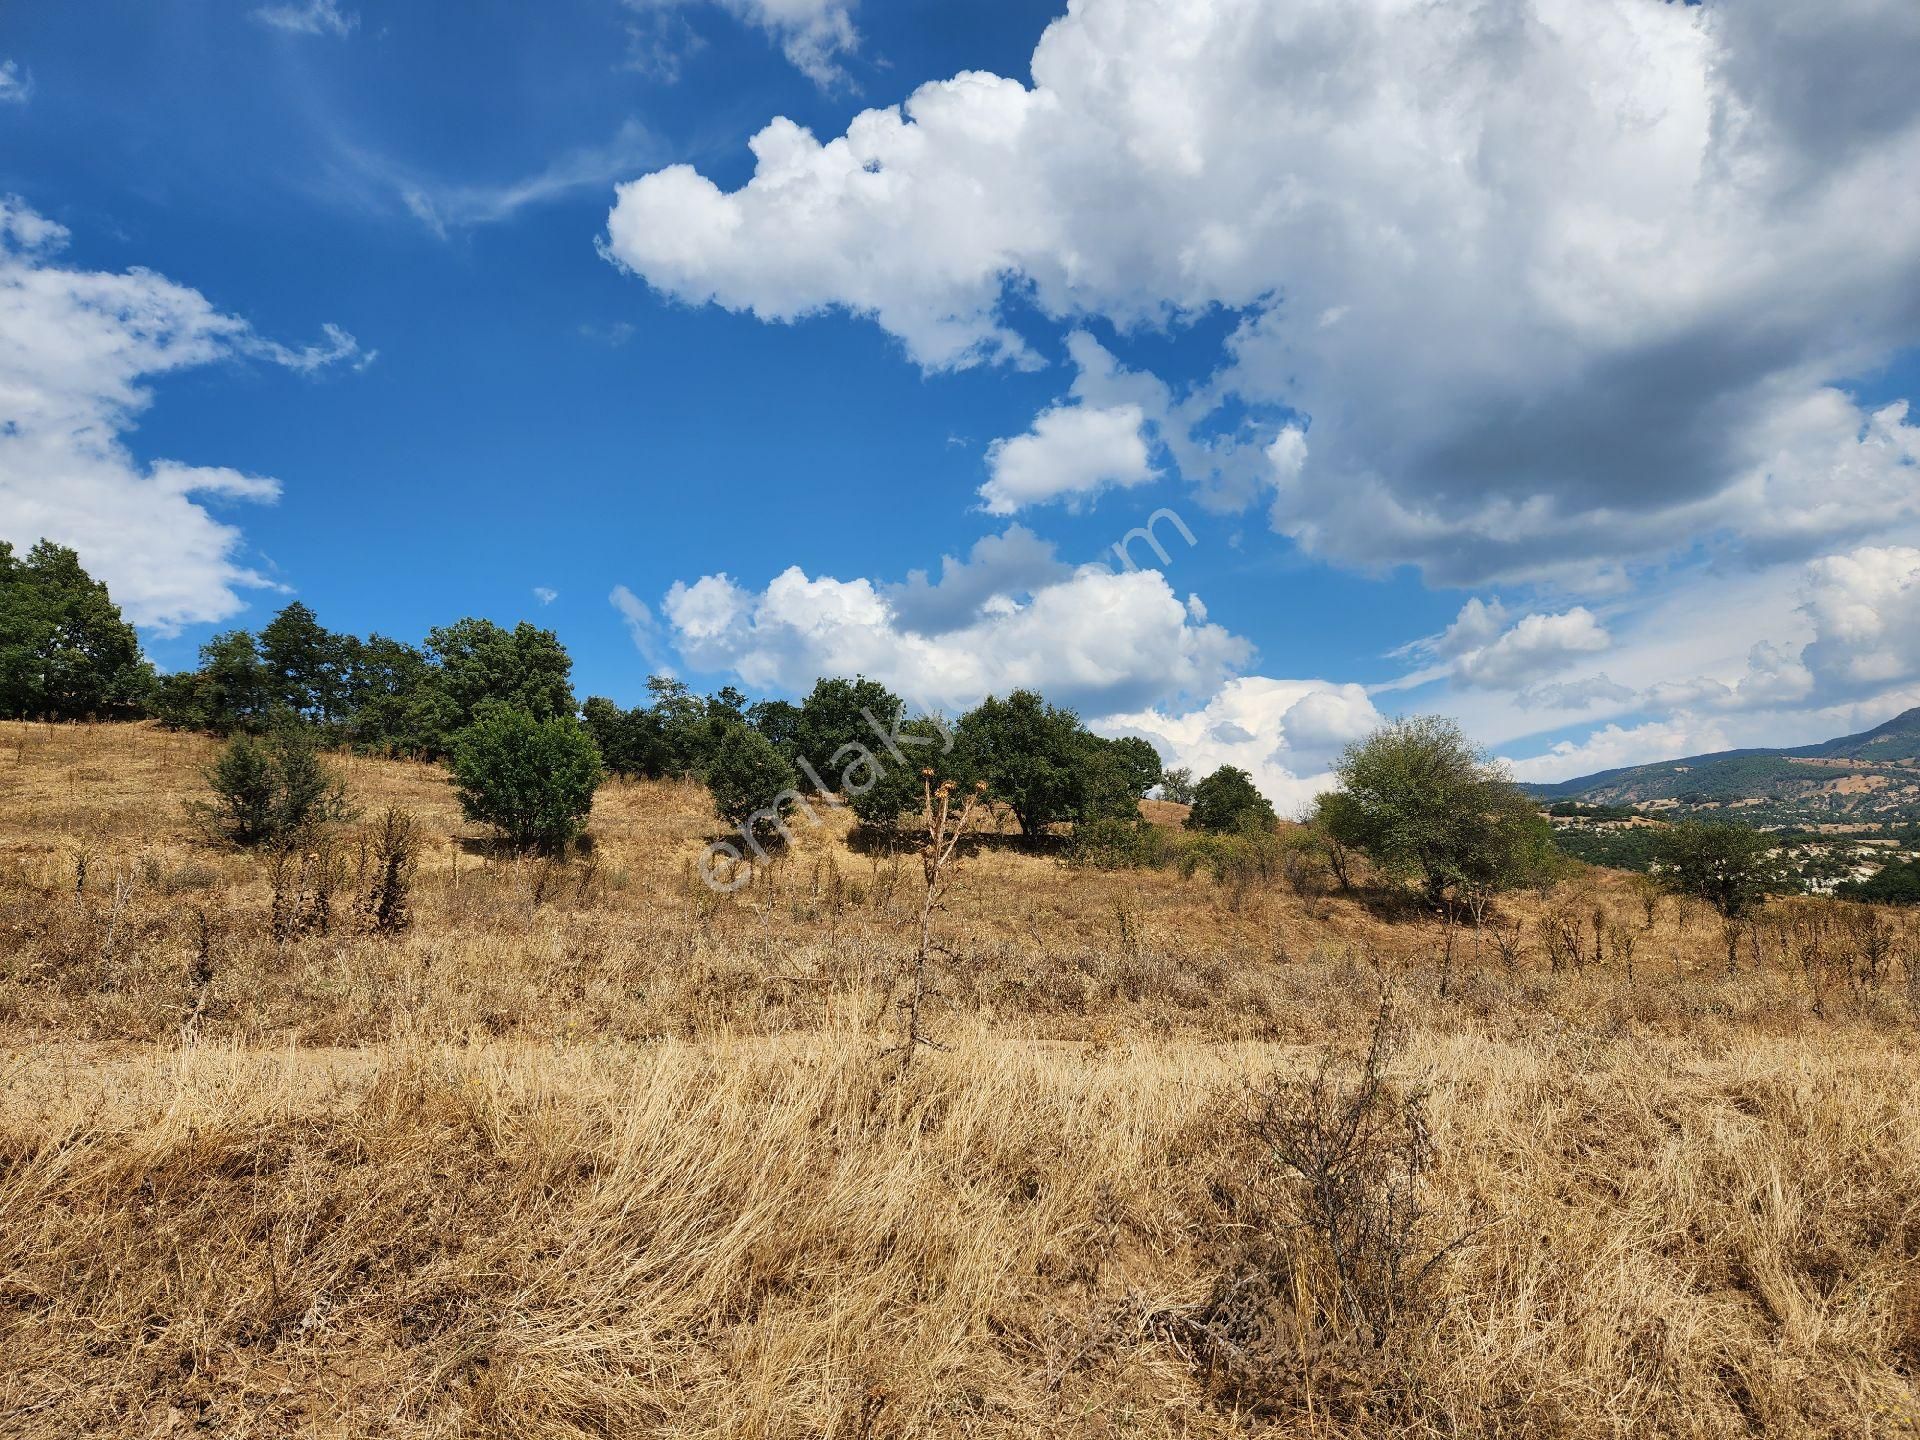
[590, 1151]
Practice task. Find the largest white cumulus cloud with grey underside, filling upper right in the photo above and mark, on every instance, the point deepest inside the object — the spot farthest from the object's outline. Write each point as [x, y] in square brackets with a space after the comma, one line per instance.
[1558, 283]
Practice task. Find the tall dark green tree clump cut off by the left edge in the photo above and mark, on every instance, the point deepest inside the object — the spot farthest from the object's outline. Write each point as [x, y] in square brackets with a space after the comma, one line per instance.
[66, 654]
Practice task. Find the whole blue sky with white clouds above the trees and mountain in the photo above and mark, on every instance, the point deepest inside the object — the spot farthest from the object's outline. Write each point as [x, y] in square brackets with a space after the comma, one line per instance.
[1539, 364]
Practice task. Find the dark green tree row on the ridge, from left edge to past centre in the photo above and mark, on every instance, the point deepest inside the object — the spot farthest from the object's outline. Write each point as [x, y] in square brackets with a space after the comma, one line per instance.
[68, 654]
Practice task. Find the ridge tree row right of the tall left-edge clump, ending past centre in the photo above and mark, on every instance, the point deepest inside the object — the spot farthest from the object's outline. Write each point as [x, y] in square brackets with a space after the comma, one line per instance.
[848, 736]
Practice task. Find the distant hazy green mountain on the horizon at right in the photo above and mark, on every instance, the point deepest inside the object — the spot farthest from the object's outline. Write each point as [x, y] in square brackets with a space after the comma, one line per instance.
[1856, 782]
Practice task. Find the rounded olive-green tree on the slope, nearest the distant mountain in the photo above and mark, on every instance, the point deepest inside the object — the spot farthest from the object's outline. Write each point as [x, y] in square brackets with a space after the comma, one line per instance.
[1424, 804]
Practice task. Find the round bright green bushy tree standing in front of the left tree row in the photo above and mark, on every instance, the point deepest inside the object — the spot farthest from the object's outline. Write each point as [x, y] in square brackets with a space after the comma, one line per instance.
[531, 779]
